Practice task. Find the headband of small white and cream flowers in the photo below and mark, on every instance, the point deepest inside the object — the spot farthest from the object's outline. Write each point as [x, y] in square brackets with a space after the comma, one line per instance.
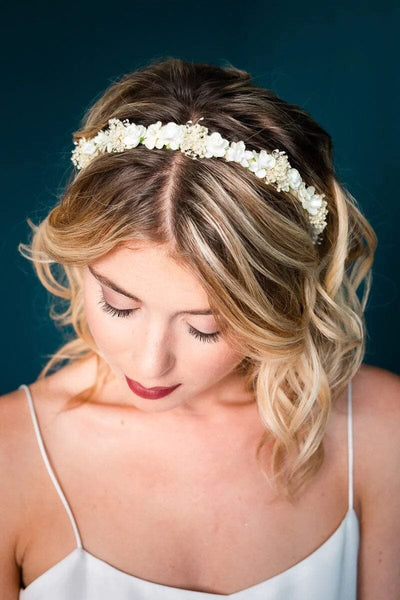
[195, 142]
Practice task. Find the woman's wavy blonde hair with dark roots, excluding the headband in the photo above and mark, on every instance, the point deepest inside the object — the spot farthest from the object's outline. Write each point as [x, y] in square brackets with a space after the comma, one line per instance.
[289, 307]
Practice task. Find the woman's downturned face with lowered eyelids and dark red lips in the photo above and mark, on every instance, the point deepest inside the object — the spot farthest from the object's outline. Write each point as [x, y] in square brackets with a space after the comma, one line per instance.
[154, 337]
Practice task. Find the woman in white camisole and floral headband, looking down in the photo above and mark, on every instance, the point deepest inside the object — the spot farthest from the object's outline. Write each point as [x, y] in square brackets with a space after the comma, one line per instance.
[204, 245]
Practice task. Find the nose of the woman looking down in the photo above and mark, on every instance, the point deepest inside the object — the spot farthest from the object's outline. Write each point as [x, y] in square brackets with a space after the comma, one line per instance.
[154, 353]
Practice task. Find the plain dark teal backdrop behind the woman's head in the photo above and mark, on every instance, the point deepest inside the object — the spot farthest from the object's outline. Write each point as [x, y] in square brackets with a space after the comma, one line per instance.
[339, 62]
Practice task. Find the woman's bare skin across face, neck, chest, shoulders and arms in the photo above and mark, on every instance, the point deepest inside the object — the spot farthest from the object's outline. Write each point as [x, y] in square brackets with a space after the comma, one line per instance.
[171, 492]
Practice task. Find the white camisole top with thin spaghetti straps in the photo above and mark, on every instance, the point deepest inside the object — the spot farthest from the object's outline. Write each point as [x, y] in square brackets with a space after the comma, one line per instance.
[328, 573]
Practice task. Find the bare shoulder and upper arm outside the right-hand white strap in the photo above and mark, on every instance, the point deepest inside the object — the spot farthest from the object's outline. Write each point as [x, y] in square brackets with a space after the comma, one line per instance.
[376, 413]
